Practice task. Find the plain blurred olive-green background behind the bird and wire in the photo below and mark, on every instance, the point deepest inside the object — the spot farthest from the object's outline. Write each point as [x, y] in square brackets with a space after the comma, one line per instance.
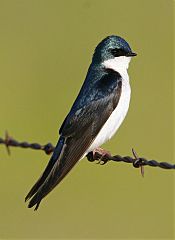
[45, 50]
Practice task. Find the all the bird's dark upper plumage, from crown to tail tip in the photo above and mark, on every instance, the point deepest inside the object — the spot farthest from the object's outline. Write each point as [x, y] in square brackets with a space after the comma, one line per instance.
[97, 99]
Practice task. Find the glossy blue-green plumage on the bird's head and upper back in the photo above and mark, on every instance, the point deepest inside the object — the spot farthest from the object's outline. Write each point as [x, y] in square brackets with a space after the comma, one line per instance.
[90, 91]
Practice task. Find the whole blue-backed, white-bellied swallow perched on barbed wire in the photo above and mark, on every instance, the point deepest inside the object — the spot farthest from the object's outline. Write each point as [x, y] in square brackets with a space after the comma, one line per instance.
[95, 116]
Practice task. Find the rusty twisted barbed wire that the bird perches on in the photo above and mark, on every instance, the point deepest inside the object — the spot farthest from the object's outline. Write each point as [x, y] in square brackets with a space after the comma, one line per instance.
[137, 162]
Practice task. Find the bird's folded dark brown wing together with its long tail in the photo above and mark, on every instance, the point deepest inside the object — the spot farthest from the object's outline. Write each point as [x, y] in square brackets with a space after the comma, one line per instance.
[77, 134]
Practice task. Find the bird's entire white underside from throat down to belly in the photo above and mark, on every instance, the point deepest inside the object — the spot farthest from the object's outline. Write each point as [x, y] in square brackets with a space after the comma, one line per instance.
[119, 64]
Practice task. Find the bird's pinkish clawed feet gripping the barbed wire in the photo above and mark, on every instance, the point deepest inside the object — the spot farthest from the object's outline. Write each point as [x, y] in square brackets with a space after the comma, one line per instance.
[99, 154]
